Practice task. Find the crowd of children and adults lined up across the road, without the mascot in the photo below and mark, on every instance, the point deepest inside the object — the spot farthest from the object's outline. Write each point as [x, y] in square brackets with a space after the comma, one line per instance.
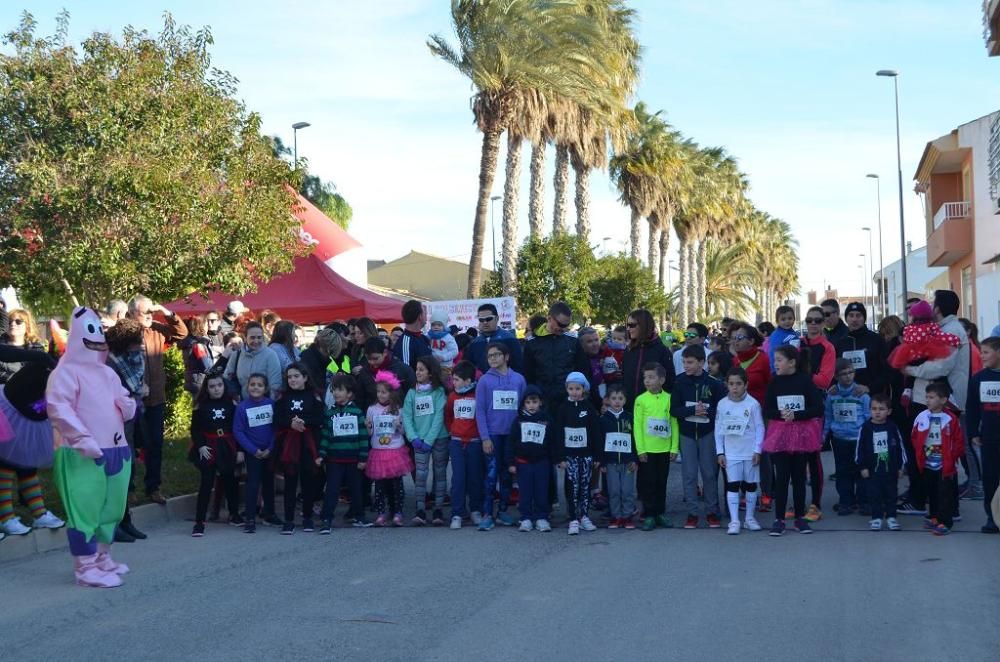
[362, 409]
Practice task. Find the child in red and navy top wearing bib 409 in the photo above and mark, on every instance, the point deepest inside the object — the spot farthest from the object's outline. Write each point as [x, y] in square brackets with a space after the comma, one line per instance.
[465, 449]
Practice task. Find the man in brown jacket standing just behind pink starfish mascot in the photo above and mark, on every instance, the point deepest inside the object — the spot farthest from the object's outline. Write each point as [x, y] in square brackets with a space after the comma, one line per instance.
[154, 336]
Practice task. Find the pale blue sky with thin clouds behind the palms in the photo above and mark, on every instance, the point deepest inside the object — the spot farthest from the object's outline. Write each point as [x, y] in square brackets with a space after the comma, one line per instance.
[788, 87]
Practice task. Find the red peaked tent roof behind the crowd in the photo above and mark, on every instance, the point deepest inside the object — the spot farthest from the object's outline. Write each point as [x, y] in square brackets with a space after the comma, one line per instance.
[311, 293]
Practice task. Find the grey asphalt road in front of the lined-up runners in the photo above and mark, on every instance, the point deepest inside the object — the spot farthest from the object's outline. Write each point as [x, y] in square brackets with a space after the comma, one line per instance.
[844, 593]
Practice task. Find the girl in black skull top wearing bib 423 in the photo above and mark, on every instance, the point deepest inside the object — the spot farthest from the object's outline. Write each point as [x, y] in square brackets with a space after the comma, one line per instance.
[298, 417]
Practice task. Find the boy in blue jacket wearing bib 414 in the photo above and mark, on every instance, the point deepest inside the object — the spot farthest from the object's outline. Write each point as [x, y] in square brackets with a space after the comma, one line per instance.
[845, 414]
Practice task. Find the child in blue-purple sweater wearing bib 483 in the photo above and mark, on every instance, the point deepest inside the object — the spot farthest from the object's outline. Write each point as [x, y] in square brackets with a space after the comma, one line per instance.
[253, 427]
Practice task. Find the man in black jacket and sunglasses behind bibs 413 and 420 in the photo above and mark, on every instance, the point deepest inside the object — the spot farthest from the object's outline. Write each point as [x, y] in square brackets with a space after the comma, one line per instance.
[550, 355]
